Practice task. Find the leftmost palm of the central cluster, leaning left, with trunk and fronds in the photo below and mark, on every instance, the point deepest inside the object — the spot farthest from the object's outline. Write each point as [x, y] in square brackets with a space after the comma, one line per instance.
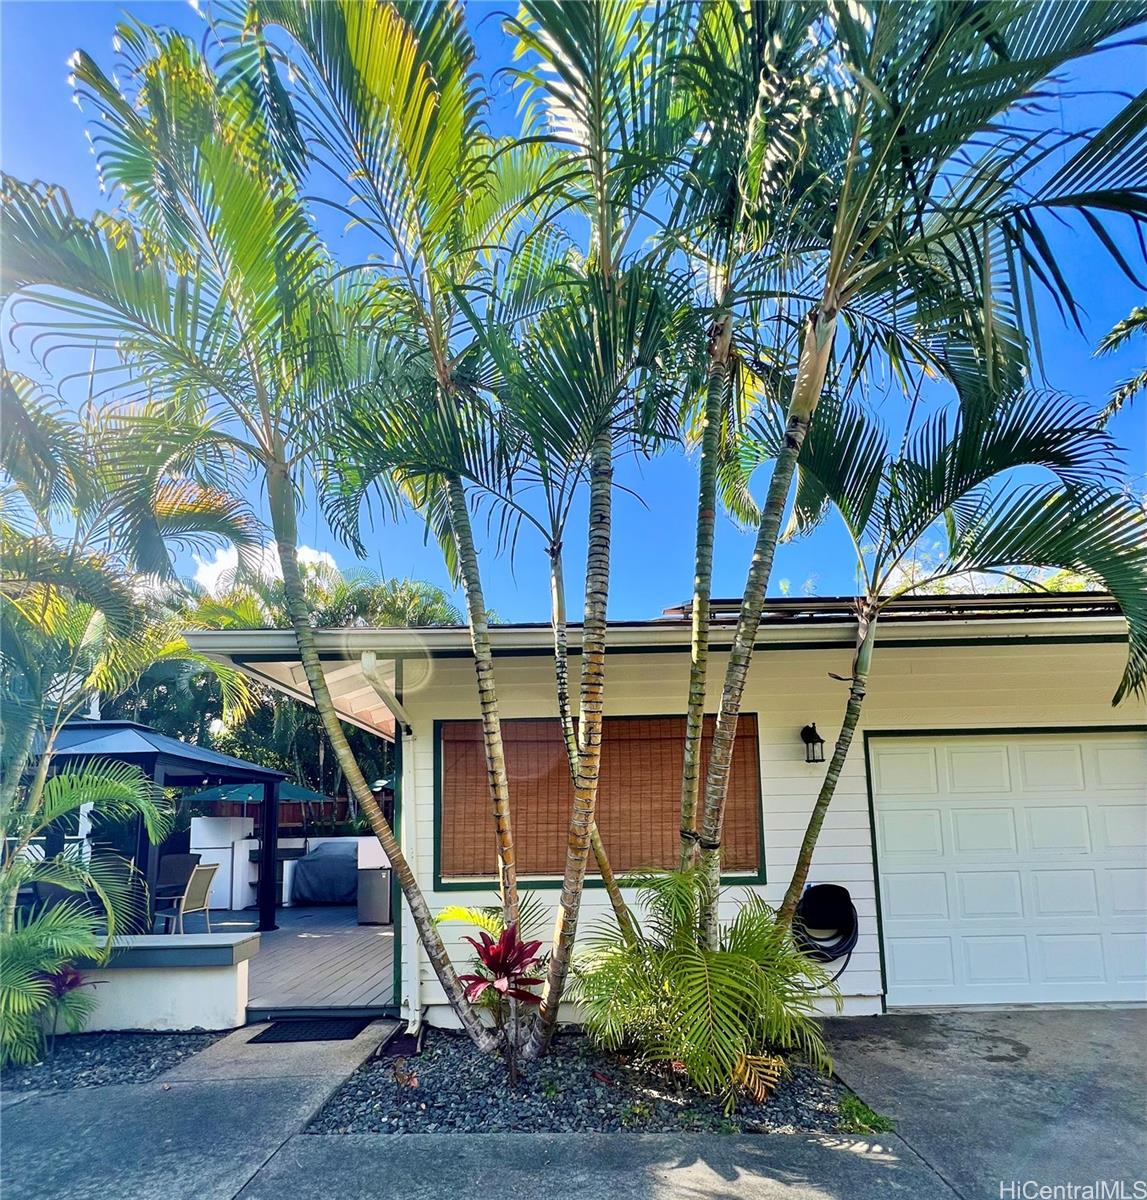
[220, 299]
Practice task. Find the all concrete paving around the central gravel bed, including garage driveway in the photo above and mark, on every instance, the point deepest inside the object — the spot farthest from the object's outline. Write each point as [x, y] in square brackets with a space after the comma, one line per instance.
[1056, 1097]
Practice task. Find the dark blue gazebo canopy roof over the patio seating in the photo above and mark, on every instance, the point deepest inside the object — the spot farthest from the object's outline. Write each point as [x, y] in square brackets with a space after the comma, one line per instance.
[169, 760]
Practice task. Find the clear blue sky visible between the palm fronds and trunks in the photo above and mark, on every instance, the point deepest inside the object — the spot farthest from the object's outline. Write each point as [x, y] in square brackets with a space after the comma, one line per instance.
[43, 137]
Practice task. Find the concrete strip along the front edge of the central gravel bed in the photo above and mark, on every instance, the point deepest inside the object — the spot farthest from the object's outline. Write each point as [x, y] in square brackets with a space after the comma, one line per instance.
[593, 1167]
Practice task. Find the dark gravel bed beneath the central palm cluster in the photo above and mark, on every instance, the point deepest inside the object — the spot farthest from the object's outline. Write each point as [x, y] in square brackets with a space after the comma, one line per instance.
[453, 1089]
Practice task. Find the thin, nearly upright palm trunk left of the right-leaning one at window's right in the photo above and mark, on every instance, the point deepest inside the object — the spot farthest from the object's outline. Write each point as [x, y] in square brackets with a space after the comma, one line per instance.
[720, 340]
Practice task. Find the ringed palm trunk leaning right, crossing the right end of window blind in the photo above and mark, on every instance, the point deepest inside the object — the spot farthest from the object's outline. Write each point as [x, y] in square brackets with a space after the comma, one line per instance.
[815, 353]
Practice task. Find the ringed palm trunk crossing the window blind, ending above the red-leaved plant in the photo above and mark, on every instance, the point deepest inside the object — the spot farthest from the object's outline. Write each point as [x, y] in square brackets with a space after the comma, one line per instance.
[488, 695]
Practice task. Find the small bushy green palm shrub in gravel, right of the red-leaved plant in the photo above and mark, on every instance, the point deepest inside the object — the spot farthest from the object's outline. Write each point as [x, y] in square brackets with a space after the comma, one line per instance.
[726, 1017]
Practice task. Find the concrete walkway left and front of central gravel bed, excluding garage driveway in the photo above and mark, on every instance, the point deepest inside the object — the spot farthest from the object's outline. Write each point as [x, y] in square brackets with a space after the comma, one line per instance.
[229, 1123]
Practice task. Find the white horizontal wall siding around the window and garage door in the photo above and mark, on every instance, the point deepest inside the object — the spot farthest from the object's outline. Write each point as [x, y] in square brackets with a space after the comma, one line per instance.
[930, 687]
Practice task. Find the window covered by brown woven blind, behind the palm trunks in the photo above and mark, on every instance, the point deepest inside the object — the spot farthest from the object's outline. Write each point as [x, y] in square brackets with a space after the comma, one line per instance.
[639, 802]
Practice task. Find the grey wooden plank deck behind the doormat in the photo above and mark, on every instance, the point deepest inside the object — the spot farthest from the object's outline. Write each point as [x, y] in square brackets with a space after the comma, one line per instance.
[319, 959]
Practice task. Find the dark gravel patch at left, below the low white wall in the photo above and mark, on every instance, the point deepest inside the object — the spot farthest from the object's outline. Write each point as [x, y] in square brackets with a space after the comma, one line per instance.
[97, 1060]
